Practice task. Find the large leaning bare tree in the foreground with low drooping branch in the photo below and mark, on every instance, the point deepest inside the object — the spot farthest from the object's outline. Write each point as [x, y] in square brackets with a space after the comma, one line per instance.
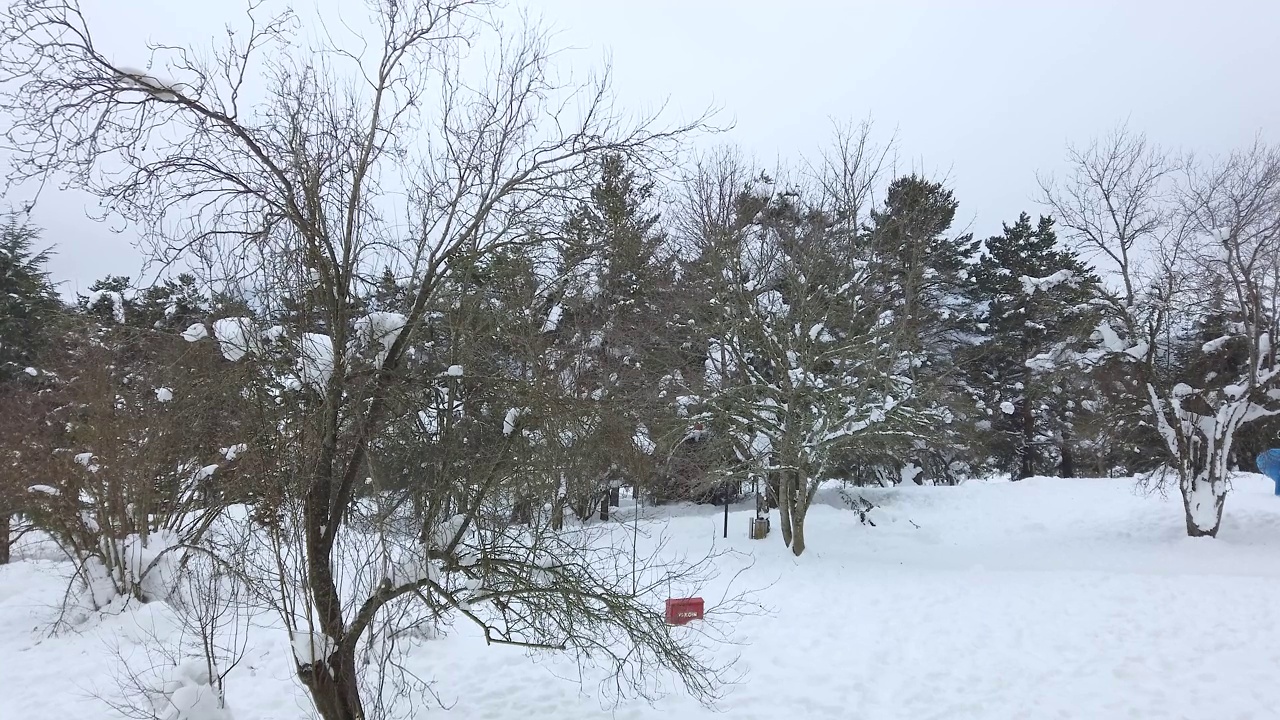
[351, 160]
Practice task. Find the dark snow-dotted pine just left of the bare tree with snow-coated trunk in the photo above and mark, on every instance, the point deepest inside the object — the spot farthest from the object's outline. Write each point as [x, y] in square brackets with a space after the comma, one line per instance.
[1032, 297]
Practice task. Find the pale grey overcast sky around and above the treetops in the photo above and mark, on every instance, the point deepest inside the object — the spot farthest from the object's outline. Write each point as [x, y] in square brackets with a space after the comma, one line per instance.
[981, 93]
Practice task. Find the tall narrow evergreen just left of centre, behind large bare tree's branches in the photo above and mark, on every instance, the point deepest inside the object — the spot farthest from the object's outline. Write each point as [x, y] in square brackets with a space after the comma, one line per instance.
[605, 322]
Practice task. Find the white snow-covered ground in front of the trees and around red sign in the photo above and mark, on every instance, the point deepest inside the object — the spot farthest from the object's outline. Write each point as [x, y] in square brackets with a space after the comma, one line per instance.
[1043, 599]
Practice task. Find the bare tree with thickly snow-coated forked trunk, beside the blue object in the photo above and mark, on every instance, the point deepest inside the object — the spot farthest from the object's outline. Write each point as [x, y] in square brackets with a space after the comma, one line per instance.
[1186, 253]
